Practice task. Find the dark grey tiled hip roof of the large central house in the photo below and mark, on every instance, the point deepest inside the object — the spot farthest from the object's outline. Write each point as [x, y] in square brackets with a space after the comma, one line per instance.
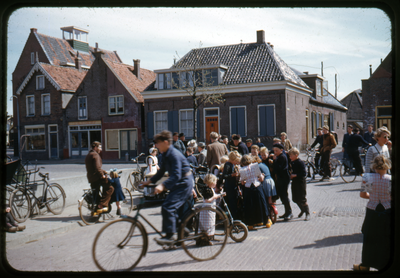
[246, 62]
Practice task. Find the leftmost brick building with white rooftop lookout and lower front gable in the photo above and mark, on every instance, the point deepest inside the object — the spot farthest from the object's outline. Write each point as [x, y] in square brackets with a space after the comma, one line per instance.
[45, 78]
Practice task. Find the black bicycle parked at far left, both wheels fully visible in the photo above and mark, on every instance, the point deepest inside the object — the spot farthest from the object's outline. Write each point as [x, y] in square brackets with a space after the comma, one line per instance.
[53, 198]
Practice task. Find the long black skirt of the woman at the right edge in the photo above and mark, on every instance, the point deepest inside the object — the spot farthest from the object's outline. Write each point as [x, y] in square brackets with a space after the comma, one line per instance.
[376, 238]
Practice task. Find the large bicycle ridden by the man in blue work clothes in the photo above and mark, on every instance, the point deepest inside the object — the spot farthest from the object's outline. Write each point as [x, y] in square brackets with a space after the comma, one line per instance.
[121, 244]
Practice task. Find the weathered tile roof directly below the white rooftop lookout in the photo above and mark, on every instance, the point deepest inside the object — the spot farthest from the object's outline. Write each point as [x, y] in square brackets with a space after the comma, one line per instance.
[60, 52]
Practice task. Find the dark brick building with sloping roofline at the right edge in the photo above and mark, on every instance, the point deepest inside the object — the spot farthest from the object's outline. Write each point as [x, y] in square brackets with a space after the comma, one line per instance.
[377, 95]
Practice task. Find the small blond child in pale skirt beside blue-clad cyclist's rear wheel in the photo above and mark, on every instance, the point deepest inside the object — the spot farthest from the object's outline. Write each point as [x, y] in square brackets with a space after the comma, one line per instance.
[207, 218]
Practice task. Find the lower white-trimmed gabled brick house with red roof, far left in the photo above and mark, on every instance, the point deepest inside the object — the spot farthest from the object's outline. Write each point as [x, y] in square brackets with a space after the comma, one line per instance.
[45, 93]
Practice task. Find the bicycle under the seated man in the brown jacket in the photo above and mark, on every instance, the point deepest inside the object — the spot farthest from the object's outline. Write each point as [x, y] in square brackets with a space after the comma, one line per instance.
[87, 205]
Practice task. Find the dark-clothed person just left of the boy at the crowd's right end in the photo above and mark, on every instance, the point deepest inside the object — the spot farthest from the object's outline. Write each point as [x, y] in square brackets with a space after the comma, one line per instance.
[282, 178]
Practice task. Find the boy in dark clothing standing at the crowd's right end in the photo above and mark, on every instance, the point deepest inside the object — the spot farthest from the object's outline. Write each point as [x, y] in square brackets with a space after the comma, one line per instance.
[299, 184]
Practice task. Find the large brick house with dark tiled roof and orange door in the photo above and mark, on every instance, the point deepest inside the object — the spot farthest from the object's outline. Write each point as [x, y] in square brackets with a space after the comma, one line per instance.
[263, 96]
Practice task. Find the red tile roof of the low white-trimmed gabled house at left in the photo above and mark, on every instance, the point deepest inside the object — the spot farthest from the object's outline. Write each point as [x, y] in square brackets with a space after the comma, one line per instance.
[68, 78]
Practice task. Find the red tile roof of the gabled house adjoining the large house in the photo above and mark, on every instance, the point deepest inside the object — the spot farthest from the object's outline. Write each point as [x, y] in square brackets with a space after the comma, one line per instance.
[129, 79]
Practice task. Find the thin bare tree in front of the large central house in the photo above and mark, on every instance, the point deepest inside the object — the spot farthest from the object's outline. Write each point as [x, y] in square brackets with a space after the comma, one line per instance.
[201, 81]
